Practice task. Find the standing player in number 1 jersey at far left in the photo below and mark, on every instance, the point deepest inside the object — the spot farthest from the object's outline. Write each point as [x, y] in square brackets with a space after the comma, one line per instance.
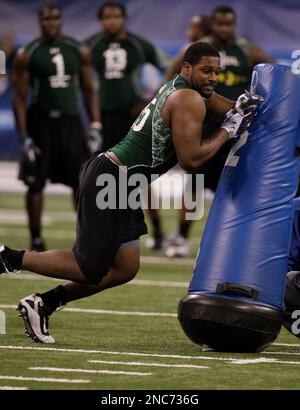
[52, 139]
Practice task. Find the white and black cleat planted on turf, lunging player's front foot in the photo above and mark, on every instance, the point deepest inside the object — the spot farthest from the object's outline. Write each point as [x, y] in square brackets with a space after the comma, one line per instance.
[35, 319]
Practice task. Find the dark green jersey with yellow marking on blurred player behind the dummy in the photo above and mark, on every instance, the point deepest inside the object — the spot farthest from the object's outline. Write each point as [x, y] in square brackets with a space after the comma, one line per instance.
[235, 74]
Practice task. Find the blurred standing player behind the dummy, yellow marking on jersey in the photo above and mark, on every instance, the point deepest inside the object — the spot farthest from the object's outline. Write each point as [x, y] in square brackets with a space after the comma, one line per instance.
[238, 57]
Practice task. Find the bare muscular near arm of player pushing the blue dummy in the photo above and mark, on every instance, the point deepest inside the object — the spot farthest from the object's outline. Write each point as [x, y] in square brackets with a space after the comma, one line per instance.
[186, 110]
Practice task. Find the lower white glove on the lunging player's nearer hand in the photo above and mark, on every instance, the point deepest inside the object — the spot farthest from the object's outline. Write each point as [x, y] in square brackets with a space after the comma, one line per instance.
[235, 123]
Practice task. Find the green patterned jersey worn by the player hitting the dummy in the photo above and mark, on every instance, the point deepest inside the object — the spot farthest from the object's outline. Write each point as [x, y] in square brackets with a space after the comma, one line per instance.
[148, 147]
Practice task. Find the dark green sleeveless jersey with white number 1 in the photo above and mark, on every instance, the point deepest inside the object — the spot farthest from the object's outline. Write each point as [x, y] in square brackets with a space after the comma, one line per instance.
[54, 71]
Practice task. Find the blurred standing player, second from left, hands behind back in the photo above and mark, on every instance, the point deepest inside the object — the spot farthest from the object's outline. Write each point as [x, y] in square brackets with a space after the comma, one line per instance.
[118, 56]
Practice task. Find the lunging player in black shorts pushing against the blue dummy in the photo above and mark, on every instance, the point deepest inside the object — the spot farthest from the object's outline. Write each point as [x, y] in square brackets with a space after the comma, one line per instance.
[106, 251]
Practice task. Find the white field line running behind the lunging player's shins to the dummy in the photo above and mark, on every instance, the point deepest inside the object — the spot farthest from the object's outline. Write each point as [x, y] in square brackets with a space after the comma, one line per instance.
[135, 282]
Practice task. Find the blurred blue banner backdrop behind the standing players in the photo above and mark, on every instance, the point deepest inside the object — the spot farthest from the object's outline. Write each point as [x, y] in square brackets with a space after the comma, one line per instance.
[272, 24]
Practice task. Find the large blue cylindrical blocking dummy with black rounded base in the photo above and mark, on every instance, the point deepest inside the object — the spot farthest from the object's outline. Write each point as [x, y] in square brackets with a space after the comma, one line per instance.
[235, 298]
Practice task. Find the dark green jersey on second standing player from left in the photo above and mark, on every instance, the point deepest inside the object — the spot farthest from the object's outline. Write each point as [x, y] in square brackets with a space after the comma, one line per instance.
[118, 66]
